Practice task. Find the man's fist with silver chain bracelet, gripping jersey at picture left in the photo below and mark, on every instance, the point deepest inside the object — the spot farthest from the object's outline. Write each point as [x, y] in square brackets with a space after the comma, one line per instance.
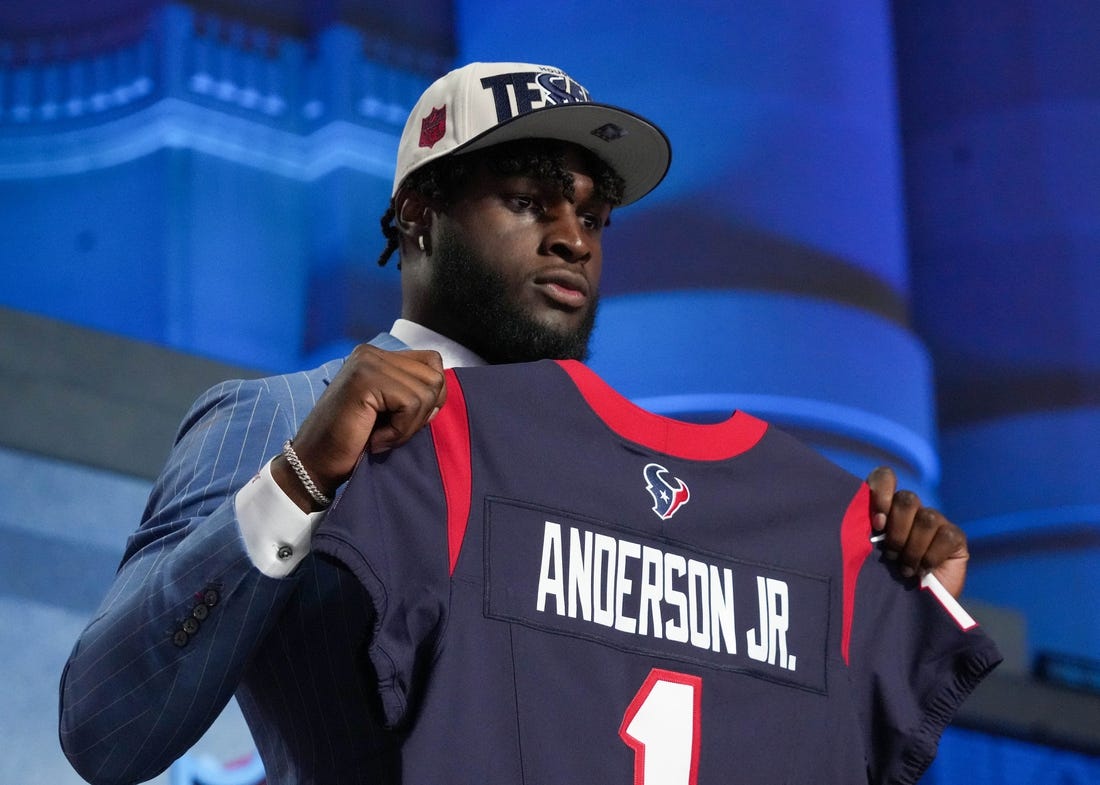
[377, 402]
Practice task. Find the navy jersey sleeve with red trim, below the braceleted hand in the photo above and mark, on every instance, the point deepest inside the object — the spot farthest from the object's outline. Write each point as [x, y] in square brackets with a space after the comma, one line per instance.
[392, 527]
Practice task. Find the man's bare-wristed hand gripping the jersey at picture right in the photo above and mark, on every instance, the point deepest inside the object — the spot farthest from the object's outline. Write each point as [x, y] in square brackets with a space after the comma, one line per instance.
[920, 538]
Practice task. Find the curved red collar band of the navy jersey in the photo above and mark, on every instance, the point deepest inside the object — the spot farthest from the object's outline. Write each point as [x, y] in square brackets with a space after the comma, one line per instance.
[686, 440]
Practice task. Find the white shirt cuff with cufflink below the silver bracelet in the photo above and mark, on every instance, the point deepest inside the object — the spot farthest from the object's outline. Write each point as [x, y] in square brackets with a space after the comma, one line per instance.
[276, 530]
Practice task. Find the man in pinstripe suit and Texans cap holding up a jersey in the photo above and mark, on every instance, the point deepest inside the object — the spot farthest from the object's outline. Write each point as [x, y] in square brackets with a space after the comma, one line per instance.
[507, 178]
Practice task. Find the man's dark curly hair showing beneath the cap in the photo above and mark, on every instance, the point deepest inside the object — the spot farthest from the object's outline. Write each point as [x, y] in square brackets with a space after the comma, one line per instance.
[443, 180]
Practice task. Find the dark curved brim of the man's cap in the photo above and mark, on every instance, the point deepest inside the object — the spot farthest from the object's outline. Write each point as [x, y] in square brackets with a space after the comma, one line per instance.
[641, 154]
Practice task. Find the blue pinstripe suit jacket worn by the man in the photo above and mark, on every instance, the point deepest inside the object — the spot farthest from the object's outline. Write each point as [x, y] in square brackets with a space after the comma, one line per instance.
[136, 694]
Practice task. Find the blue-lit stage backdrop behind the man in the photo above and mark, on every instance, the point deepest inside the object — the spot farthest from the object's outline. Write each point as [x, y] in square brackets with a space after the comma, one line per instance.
[881, 230]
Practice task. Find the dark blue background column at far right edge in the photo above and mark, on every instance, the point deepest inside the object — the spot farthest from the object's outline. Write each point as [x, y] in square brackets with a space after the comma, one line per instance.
[1002, 115]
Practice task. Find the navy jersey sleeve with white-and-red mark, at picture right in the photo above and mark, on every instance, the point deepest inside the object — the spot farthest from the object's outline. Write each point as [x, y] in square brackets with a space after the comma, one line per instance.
[915, 656]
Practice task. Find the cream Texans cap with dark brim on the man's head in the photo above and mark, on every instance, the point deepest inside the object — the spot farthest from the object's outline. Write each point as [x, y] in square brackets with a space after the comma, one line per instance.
[486, 104]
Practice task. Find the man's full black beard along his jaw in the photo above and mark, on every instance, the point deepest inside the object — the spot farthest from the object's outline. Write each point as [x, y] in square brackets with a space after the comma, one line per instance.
[493, 326]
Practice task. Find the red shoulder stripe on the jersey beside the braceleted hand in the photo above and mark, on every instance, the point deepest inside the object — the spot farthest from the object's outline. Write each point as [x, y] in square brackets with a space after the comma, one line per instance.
[450, 434]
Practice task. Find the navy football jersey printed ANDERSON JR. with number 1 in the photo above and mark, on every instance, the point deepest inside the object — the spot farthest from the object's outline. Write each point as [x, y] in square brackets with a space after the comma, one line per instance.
[570, 590]
